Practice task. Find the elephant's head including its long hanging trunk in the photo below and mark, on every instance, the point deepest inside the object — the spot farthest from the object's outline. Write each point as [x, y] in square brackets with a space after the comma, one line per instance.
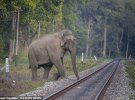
[68, 44]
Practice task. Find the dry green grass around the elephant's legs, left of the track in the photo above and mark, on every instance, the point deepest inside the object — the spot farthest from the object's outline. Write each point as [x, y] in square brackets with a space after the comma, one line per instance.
[22, 75]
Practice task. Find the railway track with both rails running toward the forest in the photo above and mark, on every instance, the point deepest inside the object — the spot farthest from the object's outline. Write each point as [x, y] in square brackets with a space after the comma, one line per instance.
[91, 87]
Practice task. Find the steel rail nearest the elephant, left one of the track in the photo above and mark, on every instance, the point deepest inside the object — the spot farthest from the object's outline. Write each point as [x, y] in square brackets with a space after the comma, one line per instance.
[61, 92]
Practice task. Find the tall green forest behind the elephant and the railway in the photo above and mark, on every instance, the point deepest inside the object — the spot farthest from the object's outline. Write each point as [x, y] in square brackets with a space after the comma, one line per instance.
[103, 28]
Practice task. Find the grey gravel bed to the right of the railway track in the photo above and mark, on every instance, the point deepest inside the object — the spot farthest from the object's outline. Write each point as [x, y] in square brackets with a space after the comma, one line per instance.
[119, 88]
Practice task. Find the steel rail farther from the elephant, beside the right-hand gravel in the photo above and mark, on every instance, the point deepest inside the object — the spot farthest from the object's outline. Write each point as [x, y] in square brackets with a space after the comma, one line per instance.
[101, 93]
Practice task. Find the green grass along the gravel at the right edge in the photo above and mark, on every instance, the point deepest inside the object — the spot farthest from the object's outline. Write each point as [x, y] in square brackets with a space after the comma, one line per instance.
[130, 69]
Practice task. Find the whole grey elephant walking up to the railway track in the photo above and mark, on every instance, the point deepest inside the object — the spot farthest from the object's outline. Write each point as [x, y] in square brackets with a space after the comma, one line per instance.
[49, 50]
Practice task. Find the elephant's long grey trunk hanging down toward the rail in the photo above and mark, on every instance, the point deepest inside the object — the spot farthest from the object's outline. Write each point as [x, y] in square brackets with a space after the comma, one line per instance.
[73, 57]
